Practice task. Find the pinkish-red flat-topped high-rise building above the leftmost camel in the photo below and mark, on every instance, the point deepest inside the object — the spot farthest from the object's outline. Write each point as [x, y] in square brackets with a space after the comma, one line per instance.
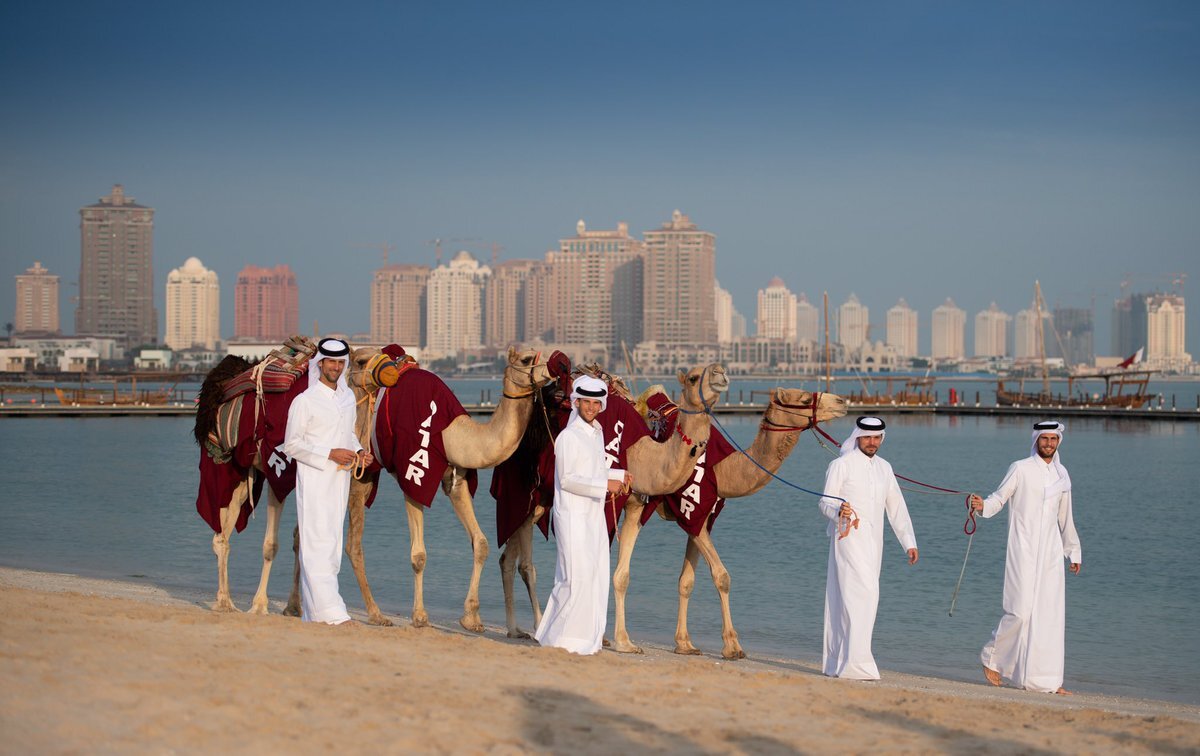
[267, 304]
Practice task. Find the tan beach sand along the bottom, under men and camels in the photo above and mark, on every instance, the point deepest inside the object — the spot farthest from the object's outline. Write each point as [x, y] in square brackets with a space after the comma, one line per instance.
[105, 667]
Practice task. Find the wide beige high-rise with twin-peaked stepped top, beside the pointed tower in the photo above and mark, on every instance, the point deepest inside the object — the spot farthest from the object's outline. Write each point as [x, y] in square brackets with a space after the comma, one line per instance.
[599, 279]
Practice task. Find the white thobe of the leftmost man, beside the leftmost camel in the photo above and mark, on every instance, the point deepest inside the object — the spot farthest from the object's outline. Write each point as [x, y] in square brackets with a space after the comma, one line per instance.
[320, 421]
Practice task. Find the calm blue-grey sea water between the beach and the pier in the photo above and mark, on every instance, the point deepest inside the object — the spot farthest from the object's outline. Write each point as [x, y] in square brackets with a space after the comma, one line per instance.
[117, 500]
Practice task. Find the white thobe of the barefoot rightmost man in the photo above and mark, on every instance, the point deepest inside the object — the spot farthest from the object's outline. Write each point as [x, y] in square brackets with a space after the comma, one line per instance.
[1029, 645]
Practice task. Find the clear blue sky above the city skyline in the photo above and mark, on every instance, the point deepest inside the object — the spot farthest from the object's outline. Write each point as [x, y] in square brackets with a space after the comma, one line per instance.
[925, 149]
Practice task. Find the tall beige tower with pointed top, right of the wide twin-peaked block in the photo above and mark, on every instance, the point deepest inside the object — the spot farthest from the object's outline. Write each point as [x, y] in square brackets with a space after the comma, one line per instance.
[681, 275]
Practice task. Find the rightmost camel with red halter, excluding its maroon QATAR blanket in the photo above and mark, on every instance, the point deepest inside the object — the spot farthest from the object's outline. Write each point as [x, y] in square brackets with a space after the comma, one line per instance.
[789, 413]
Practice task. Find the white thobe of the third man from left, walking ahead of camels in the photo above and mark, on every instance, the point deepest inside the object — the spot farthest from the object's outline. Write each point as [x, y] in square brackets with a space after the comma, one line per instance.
[853, 586]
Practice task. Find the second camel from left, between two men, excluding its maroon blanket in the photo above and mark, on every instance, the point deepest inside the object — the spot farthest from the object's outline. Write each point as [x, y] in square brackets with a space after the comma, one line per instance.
[469, 446]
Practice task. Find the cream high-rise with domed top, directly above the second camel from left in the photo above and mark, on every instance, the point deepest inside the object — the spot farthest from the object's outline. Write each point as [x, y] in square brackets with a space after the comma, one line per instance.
[455, 308]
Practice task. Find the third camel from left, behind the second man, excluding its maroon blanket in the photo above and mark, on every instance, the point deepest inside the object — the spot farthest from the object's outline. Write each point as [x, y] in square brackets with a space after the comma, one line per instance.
[658, 469]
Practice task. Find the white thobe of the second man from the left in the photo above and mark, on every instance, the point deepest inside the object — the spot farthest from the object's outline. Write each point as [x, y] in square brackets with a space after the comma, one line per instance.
[578, 610]
